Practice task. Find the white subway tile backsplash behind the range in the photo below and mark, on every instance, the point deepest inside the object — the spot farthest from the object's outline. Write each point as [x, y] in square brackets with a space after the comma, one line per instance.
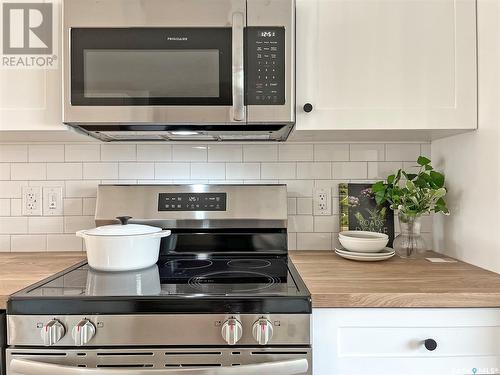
[79, 168]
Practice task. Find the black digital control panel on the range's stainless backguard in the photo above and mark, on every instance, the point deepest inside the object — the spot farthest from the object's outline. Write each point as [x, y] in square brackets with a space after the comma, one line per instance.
[192, 201]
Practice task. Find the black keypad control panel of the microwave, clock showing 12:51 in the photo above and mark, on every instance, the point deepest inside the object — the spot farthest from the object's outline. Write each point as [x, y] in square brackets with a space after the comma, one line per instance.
[265, 65]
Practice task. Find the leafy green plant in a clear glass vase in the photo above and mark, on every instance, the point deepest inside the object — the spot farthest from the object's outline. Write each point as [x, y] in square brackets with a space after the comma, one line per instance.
[412, 195]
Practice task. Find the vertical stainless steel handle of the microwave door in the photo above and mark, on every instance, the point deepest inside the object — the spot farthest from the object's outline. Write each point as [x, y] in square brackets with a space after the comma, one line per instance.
[238, 67]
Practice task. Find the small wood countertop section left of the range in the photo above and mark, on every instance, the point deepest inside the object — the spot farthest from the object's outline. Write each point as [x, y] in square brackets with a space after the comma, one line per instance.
[19, 270]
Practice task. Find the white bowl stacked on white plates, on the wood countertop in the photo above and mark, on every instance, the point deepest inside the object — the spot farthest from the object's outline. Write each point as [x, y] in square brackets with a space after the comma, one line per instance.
[364, 246]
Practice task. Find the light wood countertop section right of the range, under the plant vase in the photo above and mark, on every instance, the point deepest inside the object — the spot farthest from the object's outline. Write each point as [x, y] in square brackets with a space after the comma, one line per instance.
[337, 282]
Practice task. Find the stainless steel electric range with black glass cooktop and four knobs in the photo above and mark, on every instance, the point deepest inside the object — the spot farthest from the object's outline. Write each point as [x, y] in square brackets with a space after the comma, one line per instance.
[223, 299]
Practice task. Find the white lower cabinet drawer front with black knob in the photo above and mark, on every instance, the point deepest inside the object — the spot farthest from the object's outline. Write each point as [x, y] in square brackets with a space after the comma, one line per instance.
[392, 341]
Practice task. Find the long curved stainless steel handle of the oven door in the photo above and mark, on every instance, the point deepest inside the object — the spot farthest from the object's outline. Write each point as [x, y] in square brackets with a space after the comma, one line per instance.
[19, 366]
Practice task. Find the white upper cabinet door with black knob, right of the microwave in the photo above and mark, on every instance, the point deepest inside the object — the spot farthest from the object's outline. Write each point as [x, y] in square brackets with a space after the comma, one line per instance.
[386, 64]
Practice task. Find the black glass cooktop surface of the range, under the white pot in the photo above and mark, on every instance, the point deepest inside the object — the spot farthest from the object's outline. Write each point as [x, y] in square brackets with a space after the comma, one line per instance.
[180, 276]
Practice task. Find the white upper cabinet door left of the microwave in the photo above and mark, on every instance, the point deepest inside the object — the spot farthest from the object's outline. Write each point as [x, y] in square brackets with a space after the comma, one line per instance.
[30, 98]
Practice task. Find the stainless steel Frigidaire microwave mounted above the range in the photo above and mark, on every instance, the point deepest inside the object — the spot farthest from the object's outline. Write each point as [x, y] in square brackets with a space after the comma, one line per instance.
[179, 69]
